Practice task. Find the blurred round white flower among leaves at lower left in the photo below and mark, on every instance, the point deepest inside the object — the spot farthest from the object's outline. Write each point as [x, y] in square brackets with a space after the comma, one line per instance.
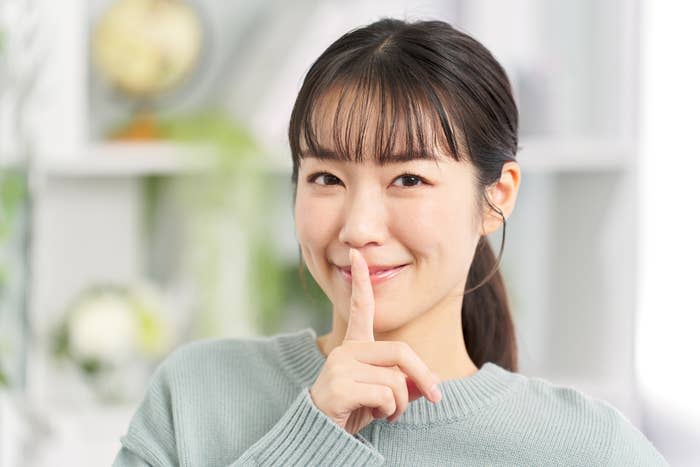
[104, 328]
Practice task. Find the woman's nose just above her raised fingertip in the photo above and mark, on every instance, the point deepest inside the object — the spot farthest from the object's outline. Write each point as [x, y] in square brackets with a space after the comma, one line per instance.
[364, 220]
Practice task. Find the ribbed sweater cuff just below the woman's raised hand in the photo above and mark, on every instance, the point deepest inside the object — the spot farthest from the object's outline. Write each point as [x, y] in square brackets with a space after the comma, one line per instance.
[306, 436]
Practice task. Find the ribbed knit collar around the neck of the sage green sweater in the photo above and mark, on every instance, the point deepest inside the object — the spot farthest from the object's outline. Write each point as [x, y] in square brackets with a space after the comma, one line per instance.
[303, 360]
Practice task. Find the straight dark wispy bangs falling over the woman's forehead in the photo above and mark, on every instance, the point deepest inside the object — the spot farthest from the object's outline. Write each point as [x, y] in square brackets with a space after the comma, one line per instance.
[382, 111]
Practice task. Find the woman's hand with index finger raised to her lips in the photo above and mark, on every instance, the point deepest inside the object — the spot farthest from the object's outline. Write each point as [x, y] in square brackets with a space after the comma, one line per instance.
[362, 379]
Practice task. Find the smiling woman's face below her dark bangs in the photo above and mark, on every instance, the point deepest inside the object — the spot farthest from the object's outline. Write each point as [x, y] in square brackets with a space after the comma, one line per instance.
[420, 213]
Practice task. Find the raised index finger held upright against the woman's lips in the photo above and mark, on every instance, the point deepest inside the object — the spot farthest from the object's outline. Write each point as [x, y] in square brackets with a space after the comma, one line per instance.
[361, 315]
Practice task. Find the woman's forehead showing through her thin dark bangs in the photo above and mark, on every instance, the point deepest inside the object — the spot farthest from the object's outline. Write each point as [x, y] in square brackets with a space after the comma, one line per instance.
[352, 123]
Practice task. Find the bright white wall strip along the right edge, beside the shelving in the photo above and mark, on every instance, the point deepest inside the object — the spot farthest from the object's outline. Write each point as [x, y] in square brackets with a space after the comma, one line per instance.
[668, 346]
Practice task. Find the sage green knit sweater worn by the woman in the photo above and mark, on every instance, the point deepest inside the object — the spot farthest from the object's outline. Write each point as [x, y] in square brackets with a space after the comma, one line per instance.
[234, 401]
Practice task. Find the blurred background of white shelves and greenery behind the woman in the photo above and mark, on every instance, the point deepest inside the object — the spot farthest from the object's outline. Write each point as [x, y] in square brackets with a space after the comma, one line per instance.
[146, 199]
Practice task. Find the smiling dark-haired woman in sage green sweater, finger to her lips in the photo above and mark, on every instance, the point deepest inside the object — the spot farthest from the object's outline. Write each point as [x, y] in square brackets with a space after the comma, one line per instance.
[403, 138]
